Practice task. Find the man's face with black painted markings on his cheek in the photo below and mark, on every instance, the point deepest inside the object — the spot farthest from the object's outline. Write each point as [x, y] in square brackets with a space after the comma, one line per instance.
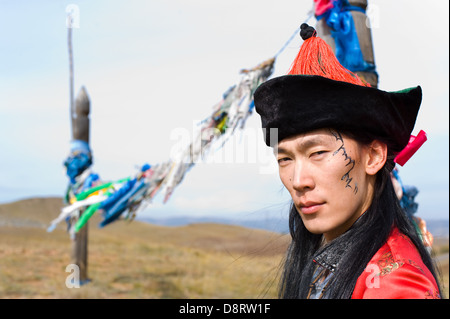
[325, 174]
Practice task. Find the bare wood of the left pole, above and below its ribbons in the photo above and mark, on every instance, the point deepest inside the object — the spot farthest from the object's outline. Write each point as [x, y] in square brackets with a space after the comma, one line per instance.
[80, 131]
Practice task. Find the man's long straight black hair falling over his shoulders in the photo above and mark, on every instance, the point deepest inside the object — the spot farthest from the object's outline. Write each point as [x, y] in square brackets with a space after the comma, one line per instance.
[370, 234]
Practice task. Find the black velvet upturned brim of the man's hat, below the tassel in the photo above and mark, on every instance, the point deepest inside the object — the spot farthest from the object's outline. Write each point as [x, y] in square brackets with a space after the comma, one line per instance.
[296, 104]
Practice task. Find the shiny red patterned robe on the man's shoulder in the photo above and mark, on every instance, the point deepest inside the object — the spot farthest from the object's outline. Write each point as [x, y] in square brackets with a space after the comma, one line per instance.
[396, 271]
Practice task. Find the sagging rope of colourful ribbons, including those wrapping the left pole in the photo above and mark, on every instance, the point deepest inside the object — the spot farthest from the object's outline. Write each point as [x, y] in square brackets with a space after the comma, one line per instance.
[87, 194]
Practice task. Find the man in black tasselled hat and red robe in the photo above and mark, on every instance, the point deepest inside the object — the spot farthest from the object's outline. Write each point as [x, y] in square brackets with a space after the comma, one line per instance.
[336, 140]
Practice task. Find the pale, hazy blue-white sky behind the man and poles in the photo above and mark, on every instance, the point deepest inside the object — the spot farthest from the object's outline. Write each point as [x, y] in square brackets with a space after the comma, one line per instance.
[153, 69]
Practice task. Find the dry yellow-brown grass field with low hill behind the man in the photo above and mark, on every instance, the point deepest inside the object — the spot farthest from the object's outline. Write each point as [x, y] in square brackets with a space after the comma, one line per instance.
[138, 260]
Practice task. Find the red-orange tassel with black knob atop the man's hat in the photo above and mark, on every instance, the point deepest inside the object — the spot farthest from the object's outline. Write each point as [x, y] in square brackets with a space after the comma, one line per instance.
[316, 57]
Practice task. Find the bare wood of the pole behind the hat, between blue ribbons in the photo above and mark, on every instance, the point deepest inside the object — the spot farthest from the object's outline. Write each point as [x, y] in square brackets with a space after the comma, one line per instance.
[364, 33]
